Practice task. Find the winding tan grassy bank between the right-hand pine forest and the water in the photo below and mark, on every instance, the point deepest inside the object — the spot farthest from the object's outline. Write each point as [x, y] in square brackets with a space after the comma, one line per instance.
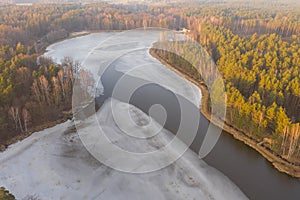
[280, 164]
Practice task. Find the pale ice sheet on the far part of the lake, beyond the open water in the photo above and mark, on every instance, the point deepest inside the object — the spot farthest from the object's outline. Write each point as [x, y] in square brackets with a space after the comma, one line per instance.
[97, 51]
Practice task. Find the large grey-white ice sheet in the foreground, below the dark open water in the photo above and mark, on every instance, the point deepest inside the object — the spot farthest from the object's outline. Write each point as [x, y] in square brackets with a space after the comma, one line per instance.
[53, 164]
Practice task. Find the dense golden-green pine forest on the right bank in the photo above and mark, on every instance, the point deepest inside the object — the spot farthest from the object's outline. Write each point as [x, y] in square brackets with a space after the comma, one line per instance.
[258, 57]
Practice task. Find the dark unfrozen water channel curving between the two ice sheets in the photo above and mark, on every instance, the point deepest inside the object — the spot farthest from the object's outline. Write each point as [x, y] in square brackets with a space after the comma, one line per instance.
[253, 174]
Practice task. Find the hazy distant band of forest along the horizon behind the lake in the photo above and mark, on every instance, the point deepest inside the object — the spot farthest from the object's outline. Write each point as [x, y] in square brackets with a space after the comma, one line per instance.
[29, 24]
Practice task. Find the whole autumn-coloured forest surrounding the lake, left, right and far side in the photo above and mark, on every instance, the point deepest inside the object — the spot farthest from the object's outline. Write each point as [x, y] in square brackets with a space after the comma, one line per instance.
[255, 48]
